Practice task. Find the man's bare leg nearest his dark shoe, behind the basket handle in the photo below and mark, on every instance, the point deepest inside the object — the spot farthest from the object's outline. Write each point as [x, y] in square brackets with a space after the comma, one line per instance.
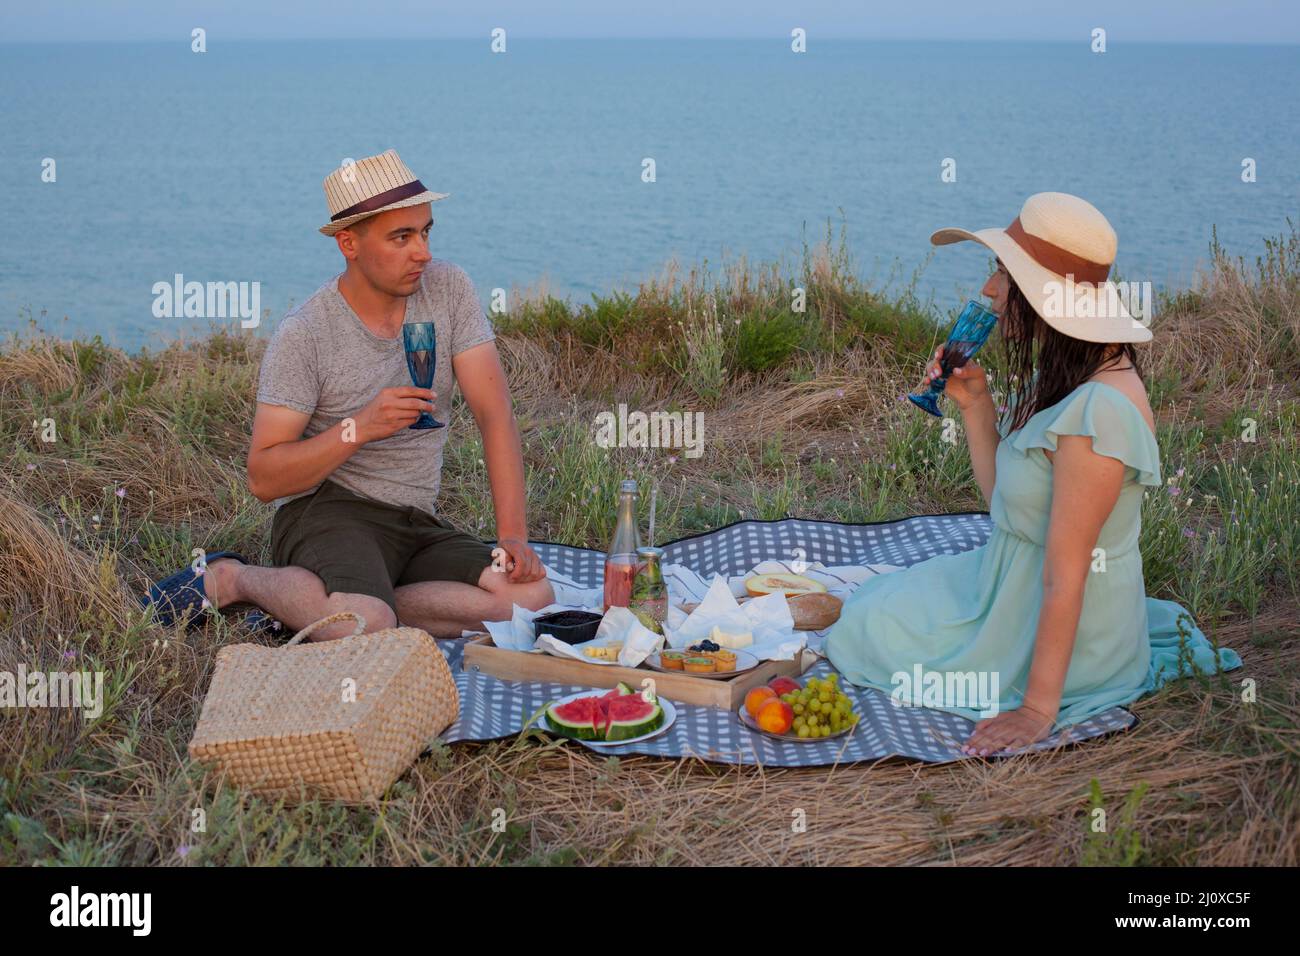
[294, 596]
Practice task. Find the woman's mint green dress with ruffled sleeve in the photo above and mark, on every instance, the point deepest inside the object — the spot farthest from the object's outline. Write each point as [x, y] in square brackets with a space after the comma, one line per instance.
[978, 612]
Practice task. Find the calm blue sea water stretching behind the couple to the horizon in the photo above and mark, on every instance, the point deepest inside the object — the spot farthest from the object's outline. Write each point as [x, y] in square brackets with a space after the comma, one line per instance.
[210, 166]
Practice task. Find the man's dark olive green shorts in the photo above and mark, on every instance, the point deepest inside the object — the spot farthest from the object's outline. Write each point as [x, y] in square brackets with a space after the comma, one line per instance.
[363, 547]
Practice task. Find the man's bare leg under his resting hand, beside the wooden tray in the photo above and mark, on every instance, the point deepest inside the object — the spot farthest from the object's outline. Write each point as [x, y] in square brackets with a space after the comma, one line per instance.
[448, 608]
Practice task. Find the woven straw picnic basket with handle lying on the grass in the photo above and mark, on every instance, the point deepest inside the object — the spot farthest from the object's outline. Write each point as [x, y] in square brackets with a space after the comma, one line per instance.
[340, 720]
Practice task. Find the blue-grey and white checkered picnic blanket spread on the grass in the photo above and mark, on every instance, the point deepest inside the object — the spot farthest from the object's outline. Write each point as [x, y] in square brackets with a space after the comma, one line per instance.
[492, 708]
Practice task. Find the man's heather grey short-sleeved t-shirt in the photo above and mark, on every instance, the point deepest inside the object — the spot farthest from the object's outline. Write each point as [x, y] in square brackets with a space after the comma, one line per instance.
[323, 361]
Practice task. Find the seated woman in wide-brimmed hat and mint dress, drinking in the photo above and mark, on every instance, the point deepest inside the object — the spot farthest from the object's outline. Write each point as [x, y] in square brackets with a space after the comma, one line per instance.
[1048, 625]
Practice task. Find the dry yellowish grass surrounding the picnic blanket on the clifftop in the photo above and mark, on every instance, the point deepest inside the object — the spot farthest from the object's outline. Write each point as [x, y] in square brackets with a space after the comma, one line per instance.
[816, 434]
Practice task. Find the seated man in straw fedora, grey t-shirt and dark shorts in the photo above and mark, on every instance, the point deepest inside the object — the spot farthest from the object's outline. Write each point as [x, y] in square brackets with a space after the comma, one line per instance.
[333, 448]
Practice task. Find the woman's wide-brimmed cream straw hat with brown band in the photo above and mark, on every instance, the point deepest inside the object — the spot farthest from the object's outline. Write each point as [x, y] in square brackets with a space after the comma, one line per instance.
[1060, 252]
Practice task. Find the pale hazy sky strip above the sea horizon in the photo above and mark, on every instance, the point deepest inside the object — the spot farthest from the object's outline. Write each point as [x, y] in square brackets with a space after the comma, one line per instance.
[1138, 21]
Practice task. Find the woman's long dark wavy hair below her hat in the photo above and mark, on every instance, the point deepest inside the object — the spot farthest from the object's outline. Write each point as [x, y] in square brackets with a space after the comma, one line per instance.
[1064, 364]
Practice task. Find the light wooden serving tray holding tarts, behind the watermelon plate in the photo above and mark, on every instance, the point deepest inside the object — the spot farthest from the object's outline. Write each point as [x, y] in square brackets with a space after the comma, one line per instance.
[482, 655]
